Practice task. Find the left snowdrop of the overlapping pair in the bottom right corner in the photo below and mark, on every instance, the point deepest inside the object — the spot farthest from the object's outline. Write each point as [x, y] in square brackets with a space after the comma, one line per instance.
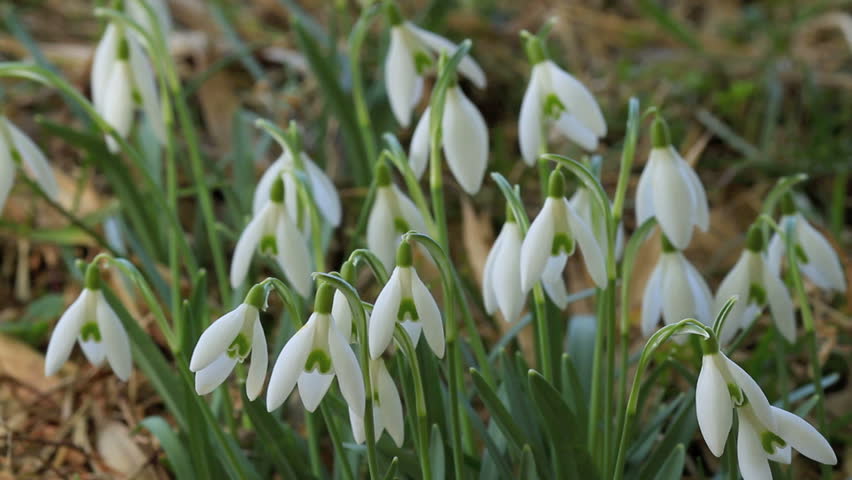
[723, 385]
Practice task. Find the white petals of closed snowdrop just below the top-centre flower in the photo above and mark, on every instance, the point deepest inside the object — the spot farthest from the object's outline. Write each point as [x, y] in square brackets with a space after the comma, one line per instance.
[465, 141]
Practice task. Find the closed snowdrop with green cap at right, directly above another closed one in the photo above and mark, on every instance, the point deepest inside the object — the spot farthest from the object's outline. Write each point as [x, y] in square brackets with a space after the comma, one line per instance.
[670, 190]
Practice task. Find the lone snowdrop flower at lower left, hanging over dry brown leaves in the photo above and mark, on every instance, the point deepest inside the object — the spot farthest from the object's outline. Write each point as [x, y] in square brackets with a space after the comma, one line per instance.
[91, 322]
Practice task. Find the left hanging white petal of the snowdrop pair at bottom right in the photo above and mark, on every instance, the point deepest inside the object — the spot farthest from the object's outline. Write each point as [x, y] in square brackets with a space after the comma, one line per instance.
[713, 406]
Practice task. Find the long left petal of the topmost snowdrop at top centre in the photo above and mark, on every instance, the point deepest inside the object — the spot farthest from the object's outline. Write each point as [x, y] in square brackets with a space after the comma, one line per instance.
[400, 76]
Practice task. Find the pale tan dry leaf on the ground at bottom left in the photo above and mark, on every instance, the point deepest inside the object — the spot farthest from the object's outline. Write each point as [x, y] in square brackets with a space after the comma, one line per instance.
[121, 453]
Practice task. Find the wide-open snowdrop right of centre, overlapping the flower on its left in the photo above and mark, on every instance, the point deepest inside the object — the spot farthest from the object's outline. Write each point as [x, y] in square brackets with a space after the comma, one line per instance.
[551, 240]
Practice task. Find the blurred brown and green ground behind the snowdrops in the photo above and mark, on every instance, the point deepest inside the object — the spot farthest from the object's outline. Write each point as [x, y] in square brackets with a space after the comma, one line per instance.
[753, 90]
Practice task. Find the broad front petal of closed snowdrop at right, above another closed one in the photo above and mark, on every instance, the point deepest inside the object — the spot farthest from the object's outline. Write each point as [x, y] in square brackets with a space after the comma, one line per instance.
[672, 202]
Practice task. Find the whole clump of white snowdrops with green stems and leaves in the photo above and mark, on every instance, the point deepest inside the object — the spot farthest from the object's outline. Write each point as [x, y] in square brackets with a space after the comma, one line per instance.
[419, 393]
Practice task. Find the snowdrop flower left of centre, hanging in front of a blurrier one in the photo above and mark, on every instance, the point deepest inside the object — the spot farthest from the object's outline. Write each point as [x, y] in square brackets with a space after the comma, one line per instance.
[274, 233]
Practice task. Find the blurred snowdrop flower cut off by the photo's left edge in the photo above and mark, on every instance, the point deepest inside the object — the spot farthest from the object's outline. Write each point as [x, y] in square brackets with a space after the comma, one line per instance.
[17, 148]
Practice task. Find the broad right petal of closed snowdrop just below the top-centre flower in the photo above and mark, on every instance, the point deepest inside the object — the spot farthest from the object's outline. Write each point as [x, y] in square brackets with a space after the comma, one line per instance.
[465, 138]
